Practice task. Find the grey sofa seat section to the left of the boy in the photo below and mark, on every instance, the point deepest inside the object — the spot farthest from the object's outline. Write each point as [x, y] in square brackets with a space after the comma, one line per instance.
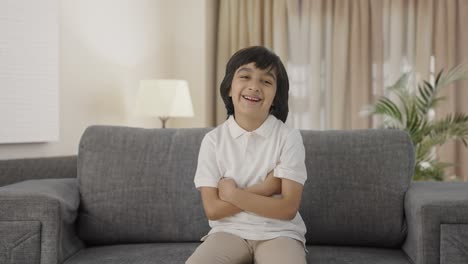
[135, 254]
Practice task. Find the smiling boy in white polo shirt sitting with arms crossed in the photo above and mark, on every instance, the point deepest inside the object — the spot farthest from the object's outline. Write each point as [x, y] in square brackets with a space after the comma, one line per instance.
[251, 169]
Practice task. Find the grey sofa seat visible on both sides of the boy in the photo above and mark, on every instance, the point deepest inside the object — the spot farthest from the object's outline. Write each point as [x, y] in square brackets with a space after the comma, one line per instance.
[172, 253]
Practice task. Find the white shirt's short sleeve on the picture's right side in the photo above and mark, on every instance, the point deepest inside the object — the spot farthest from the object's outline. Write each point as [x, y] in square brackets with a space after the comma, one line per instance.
[291, 164]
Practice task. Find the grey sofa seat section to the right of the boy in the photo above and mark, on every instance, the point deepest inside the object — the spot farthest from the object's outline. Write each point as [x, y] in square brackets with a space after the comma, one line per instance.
[355, 255]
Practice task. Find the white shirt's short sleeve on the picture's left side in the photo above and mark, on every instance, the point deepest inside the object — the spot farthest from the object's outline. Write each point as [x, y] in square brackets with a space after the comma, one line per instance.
[207, 174]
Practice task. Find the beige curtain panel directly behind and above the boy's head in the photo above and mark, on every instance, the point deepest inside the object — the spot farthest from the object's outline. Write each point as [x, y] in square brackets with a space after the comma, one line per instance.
[243, 23]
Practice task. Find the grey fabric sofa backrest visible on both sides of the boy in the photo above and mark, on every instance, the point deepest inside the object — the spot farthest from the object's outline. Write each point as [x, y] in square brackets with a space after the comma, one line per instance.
[137, 186]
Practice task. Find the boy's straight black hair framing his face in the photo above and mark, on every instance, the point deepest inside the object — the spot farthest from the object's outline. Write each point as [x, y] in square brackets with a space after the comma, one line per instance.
[263, 59]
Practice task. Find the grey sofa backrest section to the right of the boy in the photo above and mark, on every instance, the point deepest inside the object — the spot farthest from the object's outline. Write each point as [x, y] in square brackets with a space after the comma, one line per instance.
[356, 186]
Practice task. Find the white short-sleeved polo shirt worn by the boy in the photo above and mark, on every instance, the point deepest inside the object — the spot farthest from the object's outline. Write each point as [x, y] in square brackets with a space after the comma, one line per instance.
[247, 157]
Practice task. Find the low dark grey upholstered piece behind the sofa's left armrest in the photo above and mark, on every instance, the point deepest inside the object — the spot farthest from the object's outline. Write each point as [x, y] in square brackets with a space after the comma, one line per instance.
[16, 170]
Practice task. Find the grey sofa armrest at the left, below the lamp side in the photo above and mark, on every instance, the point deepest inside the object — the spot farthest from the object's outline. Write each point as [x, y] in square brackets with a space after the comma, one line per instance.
[37, 221]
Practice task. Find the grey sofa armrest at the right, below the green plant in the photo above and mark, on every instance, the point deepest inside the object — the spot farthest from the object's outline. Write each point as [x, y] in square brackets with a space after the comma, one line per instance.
[437, 217]
